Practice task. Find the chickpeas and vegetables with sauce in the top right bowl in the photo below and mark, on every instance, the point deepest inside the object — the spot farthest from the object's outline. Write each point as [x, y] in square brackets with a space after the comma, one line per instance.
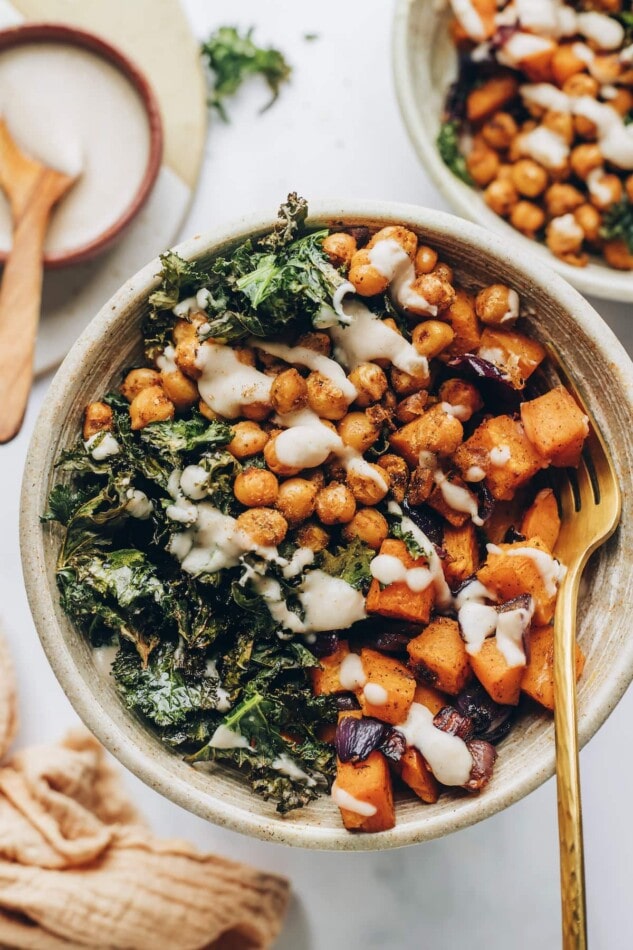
[539, 118]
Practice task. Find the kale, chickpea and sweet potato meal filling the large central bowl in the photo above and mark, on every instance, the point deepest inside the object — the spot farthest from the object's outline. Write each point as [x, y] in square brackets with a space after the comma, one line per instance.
[314, 522]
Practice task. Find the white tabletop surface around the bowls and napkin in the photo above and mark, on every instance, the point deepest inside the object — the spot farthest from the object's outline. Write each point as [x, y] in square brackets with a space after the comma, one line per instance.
[336, 132]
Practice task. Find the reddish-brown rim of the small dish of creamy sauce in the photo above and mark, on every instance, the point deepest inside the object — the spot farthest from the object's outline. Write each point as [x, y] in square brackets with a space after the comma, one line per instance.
[68, 35]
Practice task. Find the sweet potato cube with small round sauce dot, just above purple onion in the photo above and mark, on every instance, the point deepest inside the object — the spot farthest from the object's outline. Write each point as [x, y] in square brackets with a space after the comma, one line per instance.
[388, 692]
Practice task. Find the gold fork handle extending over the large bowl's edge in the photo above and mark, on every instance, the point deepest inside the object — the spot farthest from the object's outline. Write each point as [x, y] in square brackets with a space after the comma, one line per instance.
[572, 870]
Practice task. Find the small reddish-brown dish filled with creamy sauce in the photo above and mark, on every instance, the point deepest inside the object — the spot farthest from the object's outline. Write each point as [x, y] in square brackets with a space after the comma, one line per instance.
[75, 102]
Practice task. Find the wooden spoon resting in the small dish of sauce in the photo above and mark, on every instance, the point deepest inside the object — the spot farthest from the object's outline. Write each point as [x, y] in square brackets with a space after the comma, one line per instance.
[32, 189]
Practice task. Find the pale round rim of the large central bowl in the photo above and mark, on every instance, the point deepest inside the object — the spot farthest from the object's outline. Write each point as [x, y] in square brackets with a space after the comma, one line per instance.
[42, 598]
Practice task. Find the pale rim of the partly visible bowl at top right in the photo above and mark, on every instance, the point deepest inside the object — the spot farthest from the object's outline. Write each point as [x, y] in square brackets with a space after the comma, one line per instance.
[595, 279]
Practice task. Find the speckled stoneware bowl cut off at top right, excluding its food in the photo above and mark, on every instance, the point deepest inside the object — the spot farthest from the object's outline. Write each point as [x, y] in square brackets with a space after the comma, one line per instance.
[425, 64]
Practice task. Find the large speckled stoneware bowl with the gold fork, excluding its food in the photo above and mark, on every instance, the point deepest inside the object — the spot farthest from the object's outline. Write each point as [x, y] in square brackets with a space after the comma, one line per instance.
[95, 363]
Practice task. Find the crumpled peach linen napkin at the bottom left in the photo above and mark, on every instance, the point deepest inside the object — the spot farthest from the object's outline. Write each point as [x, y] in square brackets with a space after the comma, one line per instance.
[78, 868]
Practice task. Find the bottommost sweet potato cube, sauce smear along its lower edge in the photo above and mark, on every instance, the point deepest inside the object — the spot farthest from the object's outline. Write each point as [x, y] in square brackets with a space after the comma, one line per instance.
[365, 787]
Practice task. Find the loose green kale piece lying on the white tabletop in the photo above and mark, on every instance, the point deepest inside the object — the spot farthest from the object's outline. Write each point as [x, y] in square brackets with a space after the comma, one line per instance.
[232, 57]
